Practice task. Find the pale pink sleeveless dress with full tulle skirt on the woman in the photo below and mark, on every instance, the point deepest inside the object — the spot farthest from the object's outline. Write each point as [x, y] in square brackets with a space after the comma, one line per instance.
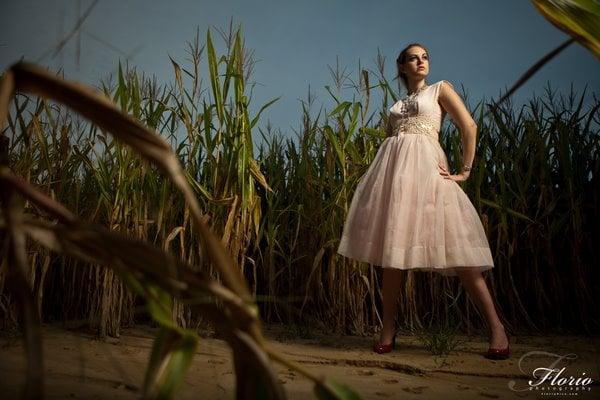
[404, 214]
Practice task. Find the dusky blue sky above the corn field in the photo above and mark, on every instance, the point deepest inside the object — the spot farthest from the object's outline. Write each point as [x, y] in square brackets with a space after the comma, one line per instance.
[483, 45]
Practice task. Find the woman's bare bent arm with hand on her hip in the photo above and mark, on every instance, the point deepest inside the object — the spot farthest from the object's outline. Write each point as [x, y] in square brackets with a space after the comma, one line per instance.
[454, 106]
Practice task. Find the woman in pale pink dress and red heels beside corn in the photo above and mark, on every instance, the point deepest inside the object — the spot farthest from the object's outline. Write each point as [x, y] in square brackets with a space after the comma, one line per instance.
[408, 211]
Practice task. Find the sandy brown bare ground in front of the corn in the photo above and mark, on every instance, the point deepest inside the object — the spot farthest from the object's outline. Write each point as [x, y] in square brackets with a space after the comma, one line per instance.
[80, 366]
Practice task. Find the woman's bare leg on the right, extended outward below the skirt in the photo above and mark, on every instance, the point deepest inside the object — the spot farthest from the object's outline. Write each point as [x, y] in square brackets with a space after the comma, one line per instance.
[478, 291]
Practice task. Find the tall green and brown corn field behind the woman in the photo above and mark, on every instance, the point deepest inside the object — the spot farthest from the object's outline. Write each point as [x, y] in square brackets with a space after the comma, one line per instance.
[280, 212]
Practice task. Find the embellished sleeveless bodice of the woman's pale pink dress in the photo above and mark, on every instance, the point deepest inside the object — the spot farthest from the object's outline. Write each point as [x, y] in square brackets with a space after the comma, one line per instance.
[420, 114]
